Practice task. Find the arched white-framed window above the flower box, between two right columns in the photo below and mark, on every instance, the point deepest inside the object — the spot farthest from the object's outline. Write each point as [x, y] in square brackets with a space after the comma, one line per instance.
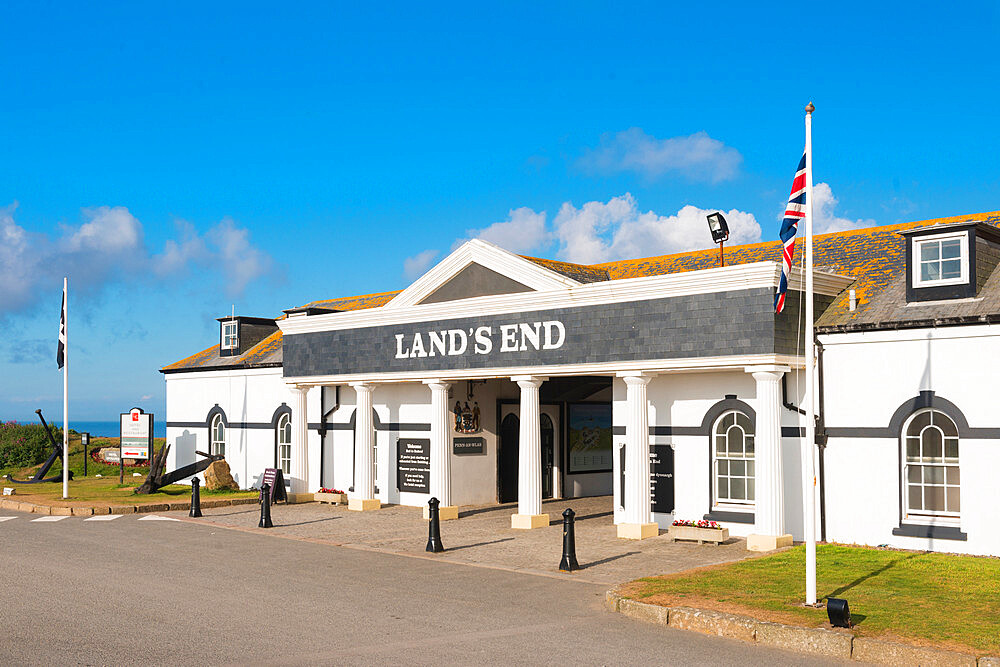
[733, 459]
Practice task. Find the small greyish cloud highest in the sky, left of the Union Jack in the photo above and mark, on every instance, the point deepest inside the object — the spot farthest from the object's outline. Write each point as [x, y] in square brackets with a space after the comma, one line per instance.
[697, 156]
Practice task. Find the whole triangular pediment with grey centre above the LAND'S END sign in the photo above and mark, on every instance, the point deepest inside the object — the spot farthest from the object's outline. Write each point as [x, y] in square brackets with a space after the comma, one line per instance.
[477, 269]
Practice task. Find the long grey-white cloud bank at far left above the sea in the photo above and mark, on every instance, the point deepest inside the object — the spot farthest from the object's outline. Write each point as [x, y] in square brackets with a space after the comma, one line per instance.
[110, 245]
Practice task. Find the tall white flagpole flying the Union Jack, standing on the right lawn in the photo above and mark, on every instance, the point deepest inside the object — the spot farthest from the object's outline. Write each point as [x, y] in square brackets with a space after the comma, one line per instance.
[808, 449]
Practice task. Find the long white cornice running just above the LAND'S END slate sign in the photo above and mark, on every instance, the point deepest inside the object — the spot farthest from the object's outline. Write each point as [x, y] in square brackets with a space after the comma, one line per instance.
[724, 279]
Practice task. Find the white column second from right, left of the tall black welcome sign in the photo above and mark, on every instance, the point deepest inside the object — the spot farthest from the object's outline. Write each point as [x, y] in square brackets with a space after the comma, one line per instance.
[638, 522]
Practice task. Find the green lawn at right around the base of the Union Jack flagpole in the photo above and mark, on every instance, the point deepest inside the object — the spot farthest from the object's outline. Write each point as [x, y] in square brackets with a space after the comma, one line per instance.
[939, 599]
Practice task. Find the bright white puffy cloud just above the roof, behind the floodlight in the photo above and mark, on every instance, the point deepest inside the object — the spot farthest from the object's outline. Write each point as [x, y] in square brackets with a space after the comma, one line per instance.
[600, 232]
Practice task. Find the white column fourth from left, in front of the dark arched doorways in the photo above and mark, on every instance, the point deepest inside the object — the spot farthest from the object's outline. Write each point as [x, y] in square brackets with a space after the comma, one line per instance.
[529, 467]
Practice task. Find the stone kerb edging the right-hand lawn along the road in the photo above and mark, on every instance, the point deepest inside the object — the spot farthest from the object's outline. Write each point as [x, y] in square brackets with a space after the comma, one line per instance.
[817, 641]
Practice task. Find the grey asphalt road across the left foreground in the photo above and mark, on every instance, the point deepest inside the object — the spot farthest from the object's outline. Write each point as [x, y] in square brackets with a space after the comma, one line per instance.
[157, 592]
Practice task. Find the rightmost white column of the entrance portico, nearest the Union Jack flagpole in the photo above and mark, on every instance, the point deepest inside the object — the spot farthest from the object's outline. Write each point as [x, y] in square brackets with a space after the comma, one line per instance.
[769, 511]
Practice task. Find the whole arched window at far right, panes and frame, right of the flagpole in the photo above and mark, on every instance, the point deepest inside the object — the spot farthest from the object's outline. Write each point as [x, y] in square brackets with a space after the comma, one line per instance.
[930, 465]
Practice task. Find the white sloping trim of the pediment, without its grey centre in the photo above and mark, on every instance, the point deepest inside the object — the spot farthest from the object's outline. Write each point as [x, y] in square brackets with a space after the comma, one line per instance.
[492, 257]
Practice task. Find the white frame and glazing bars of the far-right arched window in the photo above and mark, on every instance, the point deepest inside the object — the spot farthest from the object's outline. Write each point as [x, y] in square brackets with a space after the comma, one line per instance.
[922, 516]
